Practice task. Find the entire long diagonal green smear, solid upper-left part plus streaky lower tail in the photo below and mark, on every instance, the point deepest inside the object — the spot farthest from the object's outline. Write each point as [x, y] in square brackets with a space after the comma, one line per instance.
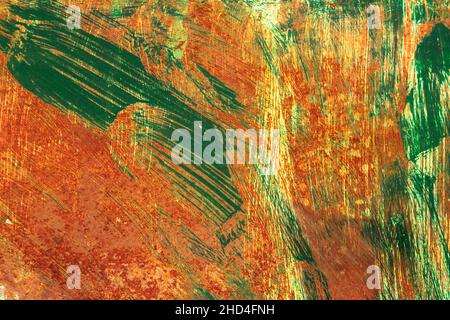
[74, 70]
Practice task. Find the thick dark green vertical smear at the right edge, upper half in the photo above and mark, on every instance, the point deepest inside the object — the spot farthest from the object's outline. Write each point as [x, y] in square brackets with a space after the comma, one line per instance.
[429, 122]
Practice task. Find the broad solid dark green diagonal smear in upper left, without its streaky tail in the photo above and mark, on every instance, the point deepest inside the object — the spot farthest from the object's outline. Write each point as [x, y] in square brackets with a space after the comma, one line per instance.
[73, 70]
